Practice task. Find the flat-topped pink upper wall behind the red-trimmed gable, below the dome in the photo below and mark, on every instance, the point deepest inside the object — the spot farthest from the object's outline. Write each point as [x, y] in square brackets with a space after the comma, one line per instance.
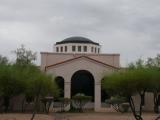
[48, 59]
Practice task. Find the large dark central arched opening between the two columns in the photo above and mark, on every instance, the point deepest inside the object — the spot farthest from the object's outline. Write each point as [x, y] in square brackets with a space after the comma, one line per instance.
[82, 81]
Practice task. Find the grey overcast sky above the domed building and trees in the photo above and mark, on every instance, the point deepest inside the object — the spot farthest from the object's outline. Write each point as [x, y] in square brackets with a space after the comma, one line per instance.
[128, 27]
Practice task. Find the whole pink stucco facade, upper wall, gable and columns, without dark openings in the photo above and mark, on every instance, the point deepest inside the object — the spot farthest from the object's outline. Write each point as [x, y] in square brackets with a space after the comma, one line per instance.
[66, 64]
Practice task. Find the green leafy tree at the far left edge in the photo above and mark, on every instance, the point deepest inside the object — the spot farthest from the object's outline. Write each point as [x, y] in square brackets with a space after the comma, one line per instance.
[11, 83]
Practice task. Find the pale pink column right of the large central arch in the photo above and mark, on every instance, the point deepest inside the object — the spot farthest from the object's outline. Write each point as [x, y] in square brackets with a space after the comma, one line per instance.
[97, 104]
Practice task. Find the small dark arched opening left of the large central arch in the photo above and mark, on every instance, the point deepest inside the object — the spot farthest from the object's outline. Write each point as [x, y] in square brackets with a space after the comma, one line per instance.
[60, 82]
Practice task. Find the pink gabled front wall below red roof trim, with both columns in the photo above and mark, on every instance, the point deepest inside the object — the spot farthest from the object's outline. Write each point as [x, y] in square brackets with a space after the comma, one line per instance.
[67, 69]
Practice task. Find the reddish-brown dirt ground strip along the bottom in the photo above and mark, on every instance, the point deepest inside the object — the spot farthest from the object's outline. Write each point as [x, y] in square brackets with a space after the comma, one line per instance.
[77, 116]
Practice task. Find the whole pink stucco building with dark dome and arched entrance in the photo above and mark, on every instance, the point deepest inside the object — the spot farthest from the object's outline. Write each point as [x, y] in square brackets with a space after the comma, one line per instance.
[78, 65]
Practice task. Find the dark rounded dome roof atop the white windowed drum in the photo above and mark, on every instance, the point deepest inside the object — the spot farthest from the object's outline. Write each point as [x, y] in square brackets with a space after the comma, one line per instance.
[77, 39]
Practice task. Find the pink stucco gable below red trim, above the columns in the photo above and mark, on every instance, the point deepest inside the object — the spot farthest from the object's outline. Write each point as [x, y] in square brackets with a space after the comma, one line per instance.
[69, 68]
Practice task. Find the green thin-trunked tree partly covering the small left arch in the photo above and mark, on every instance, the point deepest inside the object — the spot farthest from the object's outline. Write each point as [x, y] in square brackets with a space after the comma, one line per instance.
[40, 85]
